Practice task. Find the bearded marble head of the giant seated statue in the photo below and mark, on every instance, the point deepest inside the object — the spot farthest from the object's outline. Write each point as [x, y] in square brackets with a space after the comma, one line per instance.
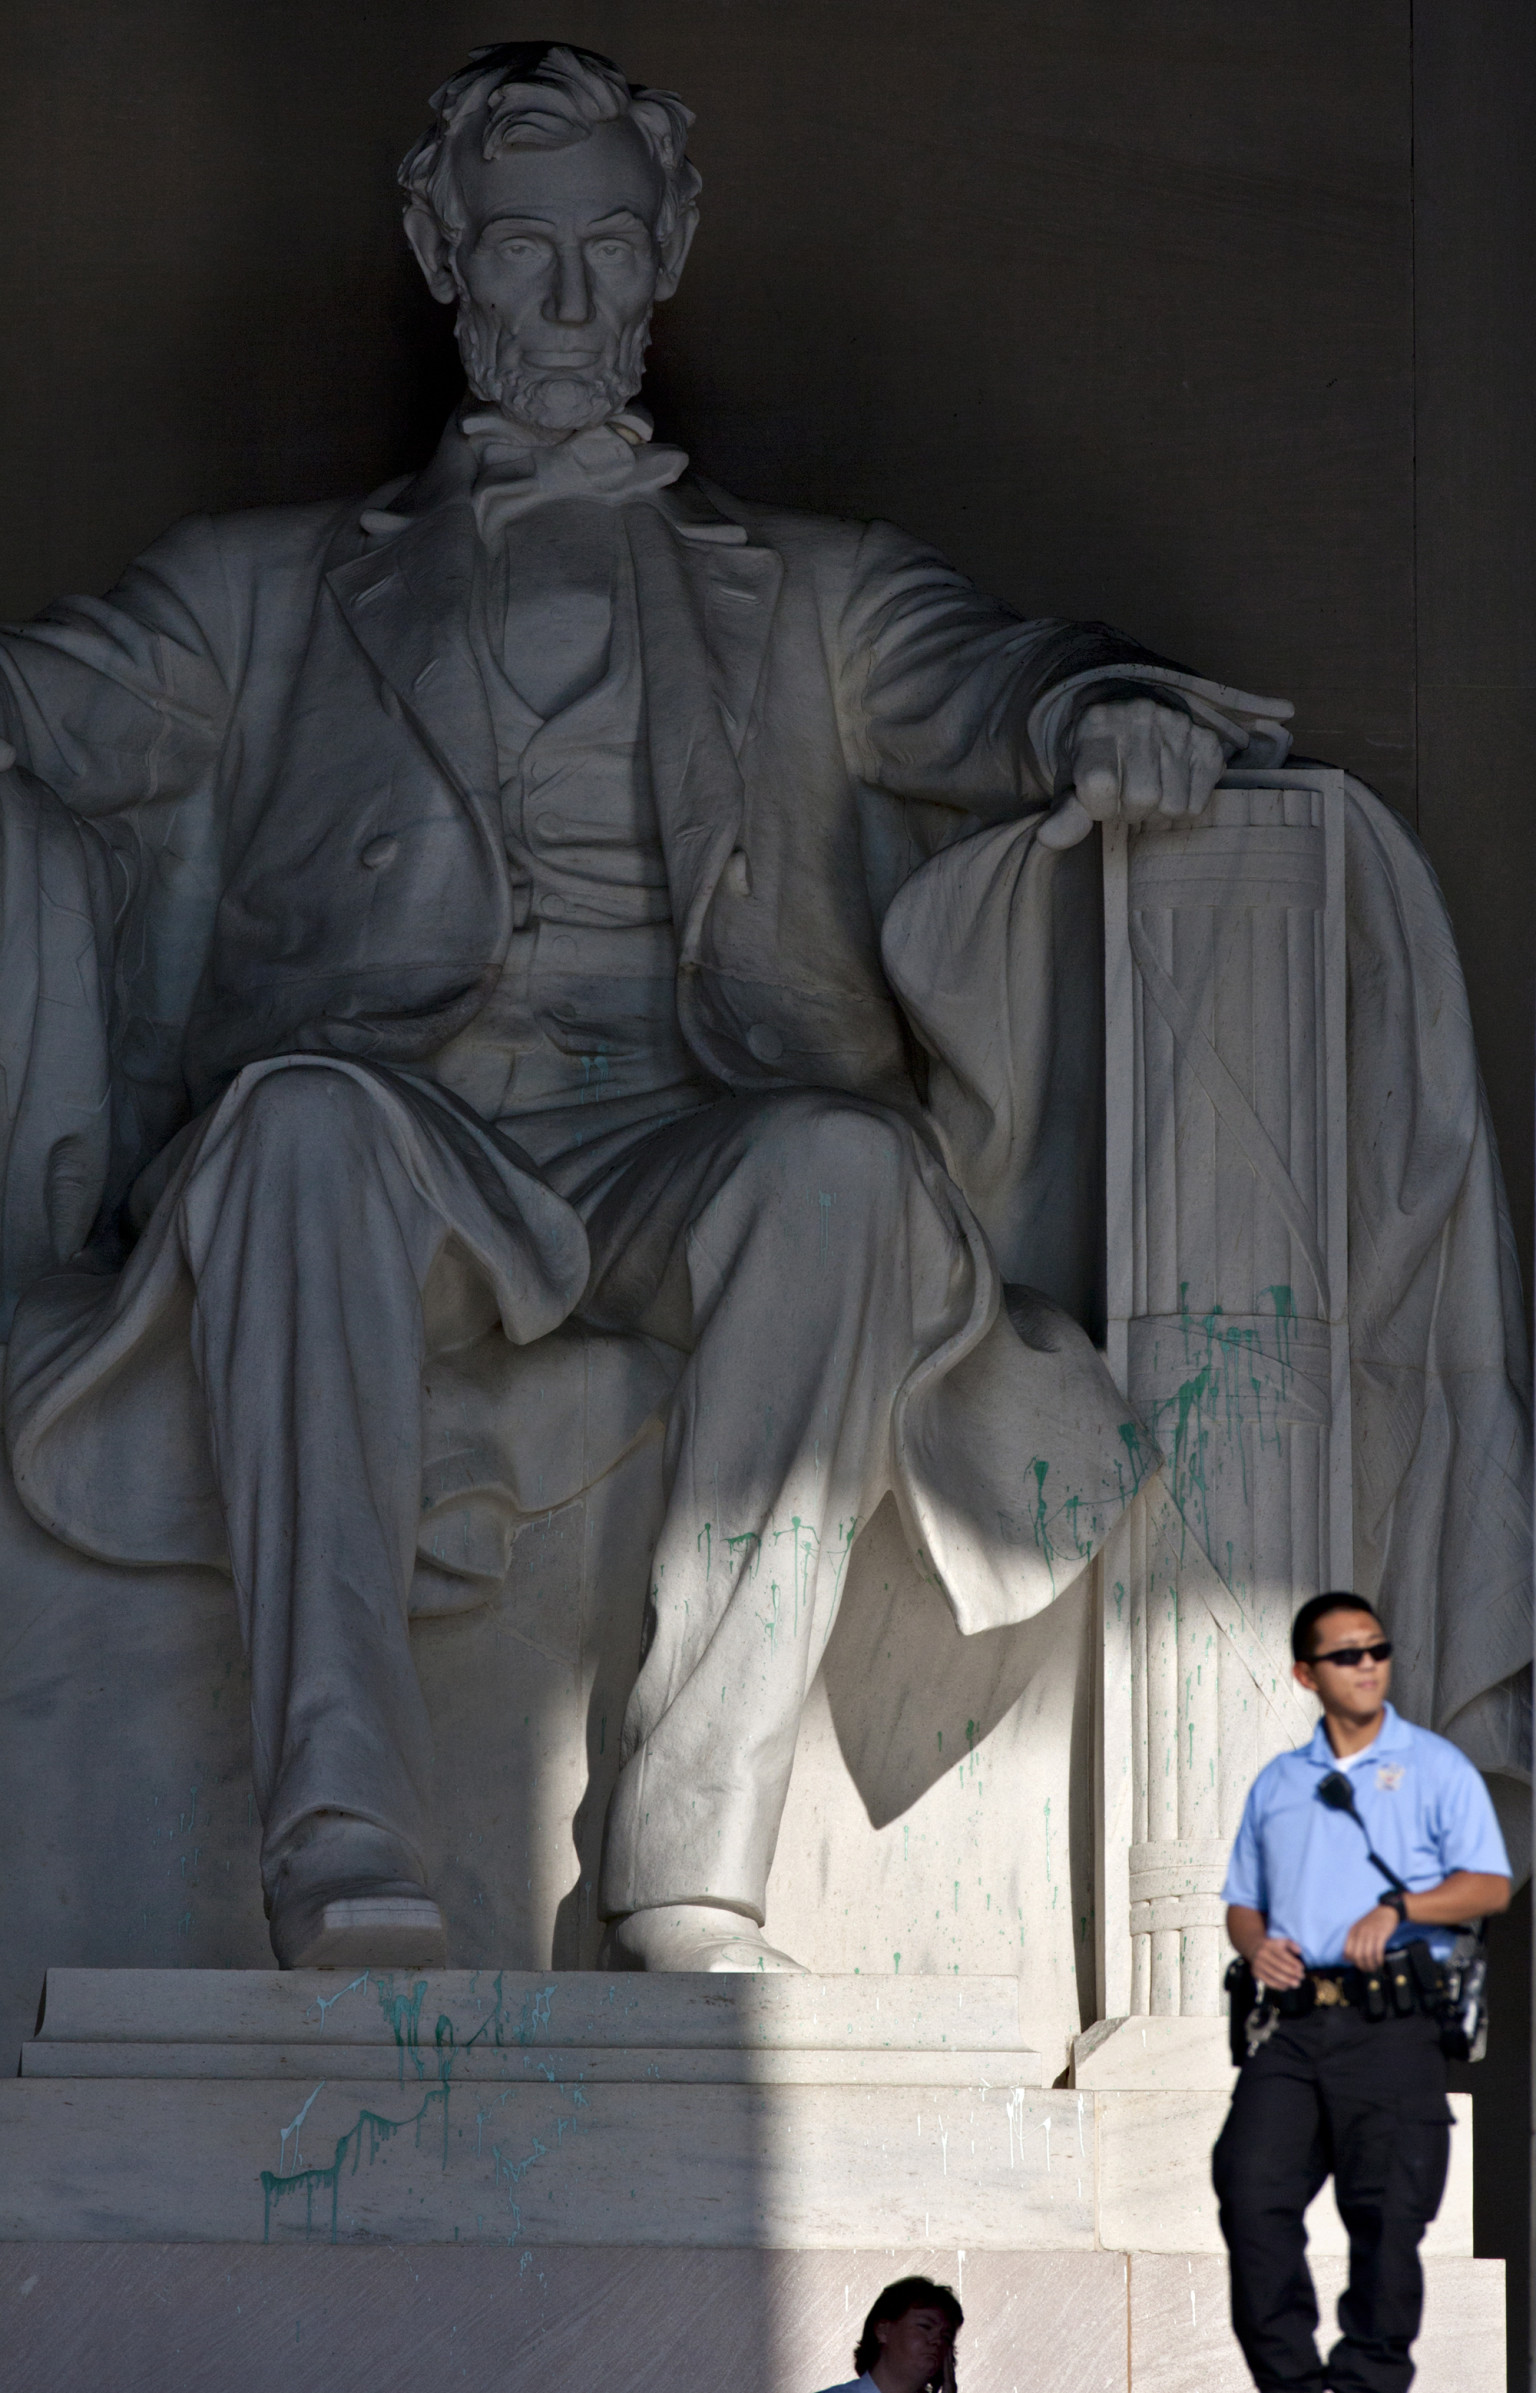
[554, 207]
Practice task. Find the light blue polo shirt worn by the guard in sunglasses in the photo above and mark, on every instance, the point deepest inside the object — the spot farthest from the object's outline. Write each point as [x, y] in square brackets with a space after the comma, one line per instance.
[1305, 1868]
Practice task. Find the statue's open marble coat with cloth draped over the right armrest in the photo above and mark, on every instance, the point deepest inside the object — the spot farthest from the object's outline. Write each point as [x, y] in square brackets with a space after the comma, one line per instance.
[851, 753]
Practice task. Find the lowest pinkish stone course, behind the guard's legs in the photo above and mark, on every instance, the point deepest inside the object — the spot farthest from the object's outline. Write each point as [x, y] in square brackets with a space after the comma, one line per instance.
[161, 2318]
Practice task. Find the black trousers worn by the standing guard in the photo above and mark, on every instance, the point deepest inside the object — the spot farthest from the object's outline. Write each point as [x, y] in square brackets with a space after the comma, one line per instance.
[1365, 2102]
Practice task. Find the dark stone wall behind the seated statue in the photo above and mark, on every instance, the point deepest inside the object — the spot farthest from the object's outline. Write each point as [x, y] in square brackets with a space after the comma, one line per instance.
[1212, 319]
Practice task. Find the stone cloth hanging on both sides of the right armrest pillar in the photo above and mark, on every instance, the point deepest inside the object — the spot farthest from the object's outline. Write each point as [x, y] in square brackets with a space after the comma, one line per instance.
[1441, 1399]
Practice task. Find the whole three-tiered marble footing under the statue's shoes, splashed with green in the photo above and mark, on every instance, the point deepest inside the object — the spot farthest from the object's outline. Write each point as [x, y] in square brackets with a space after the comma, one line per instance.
[520, 2109]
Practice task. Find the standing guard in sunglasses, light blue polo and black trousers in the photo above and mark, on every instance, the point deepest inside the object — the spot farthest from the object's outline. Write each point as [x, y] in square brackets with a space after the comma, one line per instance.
[1343, 2069]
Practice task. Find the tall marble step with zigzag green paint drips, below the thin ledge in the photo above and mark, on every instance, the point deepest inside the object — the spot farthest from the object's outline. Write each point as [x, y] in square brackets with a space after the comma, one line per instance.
[544, 2164]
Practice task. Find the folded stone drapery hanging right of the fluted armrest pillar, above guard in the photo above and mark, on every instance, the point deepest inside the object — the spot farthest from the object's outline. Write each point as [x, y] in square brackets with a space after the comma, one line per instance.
[1439, 1365]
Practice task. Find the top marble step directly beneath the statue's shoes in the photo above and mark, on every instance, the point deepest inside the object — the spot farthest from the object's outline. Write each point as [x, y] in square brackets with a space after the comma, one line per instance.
[525, 2009]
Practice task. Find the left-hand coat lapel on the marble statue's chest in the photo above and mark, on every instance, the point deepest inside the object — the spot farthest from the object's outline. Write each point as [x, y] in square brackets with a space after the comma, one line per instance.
[408, 604]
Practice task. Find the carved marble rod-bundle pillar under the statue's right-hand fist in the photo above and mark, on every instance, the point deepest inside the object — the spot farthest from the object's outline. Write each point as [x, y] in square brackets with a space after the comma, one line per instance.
[1226, 1303]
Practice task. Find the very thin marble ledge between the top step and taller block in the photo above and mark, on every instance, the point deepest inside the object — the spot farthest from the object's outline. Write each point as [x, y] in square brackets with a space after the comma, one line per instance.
[544, 2064]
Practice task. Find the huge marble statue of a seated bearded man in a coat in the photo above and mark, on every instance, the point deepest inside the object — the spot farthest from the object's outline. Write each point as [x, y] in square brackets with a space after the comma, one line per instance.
[547, 949]
